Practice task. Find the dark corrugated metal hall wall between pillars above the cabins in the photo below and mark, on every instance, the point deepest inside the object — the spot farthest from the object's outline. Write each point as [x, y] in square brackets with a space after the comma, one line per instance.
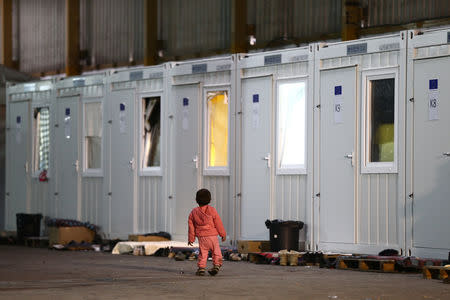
[112, 30]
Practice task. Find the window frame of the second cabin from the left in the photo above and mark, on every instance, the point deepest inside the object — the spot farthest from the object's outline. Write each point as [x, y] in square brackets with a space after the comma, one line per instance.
[89, 172]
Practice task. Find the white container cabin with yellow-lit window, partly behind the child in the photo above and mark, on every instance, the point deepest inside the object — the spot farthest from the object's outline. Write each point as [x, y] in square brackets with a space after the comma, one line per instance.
[202, 134]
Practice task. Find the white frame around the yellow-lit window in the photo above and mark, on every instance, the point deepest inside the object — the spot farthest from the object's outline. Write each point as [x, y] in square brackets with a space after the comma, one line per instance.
[207, 170]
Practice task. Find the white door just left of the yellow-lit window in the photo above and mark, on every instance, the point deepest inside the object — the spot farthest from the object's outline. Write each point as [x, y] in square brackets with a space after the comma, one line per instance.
[187, 155]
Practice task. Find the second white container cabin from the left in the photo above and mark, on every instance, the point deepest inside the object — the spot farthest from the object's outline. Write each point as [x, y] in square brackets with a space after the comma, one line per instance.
[79, 147]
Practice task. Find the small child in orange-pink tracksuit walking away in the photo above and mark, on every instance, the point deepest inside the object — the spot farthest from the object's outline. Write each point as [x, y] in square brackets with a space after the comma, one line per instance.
[206, 225]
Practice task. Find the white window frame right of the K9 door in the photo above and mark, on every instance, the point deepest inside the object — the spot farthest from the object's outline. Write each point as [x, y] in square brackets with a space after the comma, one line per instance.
[368, 167]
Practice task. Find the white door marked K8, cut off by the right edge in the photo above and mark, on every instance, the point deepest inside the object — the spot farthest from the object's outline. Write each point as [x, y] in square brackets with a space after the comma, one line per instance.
[431, 157]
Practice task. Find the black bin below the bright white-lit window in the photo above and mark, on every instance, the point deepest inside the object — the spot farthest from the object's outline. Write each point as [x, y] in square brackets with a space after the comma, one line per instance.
[284, 234]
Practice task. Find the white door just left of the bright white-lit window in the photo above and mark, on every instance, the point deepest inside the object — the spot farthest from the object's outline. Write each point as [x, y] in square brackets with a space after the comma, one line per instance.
[257, 104]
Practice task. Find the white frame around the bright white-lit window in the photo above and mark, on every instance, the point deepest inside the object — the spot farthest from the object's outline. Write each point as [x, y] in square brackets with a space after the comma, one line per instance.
[300, 169]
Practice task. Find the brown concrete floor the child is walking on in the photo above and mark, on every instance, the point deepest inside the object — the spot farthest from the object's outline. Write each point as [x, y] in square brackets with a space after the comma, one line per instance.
[35, 273]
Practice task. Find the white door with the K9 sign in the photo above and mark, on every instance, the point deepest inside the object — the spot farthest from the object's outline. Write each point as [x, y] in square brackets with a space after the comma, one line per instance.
[337, 157]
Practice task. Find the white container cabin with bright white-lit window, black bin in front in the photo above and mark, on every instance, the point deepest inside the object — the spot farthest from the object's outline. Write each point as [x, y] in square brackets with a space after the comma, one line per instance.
[275, 140]
